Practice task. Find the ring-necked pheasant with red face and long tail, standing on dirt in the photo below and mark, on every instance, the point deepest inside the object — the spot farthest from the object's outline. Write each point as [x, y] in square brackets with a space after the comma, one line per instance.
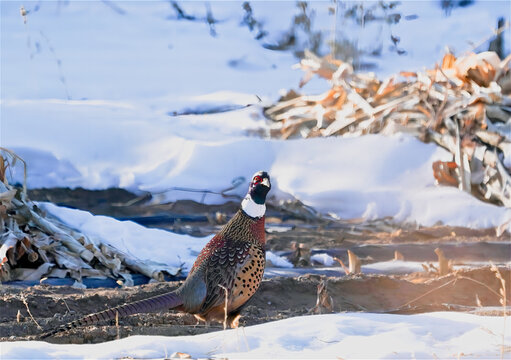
[232, 262]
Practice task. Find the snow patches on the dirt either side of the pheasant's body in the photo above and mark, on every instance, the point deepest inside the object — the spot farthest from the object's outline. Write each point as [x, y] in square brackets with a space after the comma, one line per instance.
[165, 250]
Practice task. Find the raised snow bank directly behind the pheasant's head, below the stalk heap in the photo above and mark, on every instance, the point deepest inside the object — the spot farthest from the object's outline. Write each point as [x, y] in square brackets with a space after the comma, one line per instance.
[372, 176]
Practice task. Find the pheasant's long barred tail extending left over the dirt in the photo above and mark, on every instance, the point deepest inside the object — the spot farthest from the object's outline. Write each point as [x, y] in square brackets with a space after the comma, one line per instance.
[165, 301]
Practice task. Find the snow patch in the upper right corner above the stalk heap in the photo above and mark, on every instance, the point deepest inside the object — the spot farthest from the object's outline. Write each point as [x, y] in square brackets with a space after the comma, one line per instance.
[433, 32]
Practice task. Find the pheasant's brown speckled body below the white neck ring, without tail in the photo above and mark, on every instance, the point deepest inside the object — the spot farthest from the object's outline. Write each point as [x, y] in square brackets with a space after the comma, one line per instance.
[234, 259]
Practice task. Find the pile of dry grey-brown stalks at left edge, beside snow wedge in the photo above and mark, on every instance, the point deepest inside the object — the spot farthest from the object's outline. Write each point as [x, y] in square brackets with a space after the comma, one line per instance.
[35, 246]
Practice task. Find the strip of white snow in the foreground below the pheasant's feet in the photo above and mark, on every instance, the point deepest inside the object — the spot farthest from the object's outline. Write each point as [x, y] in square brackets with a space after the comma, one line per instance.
[346, 335]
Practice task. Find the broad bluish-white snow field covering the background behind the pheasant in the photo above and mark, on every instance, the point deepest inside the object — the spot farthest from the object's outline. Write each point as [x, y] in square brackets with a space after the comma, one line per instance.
[87, 94]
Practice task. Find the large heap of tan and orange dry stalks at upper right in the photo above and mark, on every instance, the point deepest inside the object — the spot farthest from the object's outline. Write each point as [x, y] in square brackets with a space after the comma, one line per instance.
[463, 105]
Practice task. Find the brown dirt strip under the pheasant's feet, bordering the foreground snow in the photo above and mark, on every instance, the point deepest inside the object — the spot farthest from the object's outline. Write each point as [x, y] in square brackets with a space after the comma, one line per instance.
[278, 298]
